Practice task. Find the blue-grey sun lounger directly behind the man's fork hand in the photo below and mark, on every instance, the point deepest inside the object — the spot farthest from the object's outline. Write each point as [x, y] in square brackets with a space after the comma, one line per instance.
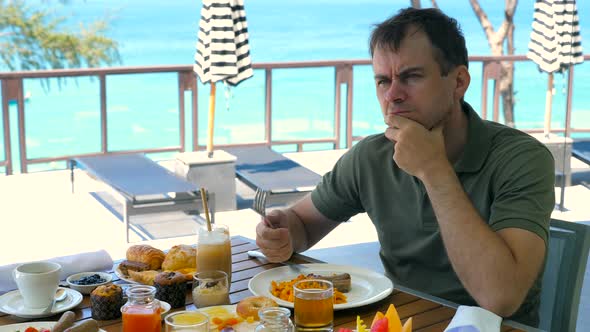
[260, 167]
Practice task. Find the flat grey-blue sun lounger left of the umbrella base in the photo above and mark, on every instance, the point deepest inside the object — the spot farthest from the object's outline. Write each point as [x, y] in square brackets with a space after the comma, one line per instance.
[145, 186]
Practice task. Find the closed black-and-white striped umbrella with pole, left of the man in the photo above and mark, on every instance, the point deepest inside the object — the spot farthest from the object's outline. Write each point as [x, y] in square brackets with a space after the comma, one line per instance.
[223, 53]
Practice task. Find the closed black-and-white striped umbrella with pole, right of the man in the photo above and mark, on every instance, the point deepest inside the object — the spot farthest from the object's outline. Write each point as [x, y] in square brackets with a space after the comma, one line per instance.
[555, 42]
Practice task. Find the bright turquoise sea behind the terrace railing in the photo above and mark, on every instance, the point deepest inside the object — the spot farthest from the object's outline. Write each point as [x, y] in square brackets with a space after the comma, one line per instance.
[143, 109]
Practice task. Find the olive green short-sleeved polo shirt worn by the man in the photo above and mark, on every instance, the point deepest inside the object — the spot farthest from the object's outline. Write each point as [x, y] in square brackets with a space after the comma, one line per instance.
[508, 175]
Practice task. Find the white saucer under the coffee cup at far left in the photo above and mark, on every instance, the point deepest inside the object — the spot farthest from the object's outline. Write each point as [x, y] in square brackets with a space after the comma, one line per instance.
[12, 303]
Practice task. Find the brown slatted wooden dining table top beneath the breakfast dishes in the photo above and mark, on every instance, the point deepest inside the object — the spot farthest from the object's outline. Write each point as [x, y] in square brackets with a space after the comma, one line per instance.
[428, 314]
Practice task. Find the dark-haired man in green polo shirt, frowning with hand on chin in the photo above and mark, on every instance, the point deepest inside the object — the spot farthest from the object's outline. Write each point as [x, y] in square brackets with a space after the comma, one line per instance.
[461, 205]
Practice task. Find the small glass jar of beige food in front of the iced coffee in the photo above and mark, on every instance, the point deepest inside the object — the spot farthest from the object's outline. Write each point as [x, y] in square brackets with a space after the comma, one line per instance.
[210, 288]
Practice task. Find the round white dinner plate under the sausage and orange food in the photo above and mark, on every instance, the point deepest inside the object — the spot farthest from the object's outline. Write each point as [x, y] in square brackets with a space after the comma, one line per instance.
[366, 286]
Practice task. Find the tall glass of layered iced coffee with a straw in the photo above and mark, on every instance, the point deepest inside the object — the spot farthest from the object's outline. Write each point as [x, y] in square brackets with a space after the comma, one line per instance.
[214, 249]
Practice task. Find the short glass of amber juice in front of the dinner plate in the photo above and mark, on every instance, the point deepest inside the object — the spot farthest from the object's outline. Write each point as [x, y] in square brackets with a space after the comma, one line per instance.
[314, 305]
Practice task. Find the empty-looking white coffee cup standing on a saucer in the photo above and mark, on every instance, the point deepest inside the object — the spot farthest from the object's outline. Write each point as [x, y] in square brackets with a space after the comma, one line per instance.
[37, 283]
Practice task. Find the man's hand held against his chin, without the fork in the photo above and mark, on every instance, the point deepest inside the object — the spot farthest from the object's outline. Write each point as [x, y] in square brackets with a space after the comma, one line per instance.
[417, 149]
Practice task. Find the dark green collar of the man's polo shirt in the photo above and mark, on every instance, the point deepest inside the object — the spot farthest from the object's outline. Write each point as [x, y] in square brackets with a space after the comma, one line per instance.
[478, 143]
